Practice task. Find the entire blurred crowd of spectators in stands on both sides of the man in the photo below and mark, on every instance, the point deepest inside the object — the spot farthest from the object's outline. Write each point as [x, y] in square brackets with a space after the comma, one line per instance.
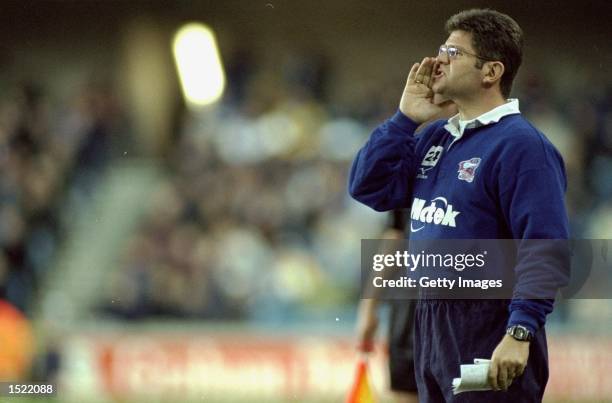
[253, 220]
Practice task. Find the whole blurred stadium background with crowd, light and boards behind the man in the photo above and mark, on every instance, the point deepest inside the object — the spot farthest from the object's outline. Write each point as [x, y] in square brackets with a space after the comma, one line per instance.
[163, 244]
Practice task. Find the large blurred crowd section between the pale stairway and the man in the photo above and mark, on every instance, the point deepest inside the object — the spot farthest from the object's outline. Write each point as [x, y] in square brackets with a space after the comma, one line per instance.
[254, 221]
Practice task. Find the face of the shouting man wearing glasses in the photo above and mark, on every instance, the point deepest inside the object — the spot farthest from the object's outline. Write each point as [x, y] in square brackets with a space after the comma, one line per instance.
[456, 77]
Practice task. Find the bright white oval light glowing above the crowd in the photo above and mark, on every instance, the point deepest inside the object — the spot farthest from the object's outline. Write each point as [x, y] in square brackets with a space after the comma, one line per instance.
[199, 65]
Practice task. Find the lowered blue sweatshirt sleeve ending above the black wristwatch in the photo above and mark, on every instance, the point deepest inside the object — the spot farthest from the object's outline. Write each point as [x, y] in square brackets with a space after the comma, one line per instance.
[533, 204]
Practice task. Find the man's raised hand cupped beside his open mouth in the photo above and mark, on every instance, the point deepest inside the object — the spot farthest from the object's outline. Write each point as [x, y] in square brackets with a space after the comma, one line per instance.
[418, 98]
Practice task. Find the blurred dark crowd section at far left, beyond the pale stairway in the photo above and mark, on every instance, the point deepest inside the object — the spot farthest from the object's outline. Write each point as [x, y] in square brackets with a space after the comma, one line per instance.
[51, 156]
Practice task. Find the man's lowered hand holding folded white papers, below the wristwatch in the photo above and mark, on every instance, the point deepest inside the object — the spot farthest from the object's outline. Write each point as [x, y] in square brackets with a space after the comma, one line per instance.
[508, 362]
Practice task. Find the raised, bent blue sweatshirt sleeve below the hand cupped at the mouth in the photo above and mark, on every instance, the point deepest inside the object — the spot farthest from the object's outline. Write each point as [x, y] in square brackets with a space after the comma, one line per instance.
[384, 167]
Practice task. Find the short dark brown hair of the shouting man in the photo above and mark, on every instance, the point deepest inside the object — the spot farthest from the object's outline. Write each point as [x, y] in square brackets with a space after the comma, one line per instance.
[495, 36]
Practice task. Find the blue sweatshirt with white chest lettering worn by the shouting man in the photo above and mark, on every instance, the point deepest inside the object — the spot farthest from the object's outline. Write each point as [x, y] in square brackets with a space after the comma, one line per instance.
[503, 180]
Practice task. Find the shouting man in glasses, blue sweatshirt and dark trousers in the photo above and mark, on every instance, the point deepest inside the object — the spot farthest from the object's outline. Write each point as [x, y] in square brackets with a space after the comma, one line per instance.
[494, 176]
